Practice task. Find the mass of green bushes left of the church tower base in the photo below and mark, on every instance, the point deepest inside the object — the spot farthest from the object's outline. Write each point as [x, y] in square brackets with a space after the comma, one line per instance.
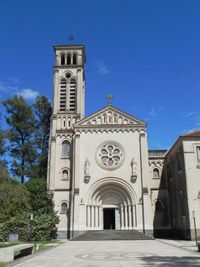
[17, 202]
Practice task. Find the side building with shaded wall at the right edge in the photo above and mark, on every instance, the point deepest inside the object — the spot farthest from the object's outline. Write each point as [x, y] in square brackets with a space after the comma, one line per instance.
[182, 166]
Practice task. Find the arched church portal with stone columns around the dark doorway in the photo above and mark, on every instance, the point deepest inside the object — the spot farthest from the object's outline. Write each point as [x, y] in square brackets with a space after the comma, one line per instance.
[111, 204]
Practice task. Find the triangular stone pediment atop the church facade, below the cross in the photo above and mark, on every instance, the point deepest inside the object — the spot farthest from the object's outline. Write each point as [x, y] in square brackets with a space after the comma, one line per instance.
[110, 116]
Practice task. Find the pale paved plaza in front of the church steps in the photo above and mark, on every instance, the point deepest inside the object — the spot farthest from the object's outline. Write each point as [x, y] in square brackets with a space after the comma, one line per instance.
[113, 254]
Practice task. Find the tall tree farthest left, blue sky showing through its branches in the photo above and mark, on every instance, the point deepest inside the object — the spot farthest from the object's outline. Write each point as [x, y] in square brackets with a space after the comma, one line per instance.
[21, 124]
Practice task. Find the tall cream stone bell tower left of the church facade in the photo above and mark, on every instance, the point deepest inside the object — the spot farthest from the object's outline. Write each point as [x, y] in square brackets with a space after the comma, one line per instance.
[68, 108]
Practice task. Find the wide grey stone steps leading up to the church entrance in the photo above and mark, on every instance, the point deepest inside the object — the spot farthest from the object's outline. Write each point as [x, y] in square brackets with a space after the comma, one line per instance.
[111, 235]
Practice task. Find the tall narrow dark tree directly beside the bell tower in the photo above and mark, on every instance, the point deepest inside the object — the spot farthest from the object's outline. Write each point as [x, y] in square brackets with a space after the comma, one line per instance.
[42, 112]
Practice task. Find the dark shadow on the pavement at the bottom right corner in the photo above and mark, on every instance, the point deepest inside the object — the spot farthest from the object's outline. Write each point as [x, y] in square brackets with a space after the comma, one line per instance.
[171, 261]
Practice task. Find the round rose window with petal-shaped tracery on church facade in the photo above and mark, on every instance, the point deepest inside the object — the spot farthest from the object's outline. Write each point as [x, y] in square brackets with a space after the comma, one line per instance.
[110, 156]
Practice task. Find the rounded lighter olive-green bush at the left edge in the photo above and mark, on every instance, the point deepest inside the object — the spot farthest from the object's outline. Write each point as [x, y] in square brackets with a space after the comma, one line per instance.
[14, 199]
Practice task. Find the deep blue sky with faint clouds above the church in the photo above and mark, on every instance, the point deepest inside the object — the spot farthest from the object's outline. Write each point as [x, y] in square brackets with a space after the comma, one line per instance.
[146, 53]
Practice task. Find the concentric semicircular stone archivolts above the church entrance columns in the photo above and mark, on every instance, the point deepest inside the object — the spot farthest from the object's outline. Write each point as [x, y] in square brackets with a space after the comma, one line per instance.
[111, 186]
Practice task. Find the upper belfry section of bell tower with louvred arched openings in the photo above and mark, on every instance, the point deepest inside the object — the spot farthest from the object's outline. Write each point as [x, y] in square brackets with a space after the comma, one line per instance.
[69, 82]
